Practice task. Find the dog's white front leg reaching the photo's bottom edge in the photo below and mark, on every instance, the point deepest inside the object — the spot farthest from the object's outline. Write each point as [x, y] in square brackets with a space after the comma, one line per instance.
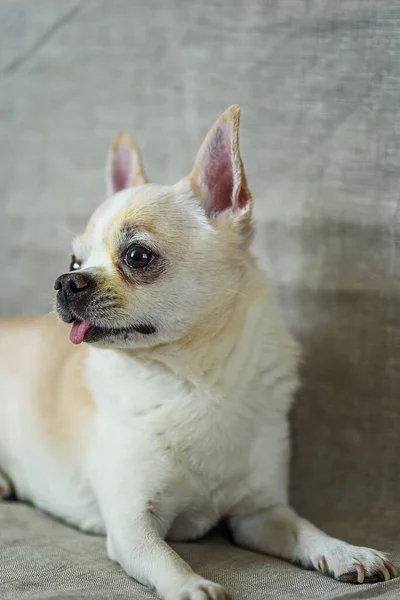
[136, 529]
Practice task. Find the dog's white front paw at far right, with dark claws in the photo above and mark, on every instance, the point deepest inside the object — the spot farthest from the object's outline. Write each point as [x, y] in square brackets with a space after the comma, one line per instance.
[352, 564]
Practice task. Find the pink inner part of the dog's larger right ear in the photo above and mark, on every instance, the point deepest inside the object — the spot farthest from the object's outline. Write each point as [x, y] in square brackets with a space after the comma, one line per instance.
[218, 175]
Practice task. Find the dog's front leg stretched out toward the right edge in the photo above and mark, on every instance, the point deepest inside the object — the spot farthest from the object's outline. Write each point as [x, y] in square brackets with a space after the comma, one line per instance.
[281, 532]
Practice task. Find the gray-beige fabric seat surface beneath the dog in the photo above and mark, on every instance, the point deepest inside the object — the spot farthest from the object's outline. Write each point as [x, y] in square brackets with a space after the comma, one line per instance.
[43, 559]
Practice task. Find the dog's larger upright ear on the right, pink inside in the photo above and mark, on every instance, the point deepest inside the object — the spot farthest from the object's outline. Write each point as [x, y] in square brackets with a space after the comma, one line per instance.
[218, 175]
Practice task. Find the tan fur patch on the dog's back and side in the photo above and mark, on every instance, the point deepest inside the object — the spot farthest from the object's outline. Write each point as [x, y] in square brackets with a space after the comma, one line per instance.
[52, 373]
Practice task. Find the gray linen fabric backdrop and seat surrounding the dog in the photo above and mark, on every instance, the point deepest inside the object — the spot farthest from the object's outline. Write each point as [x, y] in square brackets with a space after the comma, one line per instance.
[319, 86]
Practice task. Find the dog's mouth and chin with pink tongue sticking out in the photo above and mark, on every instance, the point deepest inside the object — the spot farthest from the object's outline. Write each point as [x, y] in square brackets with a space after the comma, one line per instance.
[87, 330]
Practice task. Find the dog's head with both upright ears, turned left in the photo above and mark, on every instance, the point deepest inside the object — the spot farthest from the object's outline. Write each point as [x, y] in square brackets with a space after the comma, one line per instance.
[157, 263]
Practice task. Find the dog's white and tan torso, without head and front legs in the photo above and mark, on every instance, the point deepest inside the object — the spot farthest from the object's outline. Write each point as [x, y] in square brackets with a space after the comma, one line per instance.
[204, 434]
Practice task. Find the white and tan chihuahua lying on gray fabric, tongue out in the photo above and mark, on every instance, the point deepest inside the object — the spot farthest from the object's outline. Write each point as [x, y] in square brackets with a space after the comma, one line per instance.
[173, 413]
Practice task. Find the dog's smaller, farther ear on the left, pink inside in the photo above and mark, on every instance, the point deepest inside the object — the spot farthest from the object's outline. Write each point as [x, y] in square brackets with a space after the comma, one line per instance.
[124, 166]
